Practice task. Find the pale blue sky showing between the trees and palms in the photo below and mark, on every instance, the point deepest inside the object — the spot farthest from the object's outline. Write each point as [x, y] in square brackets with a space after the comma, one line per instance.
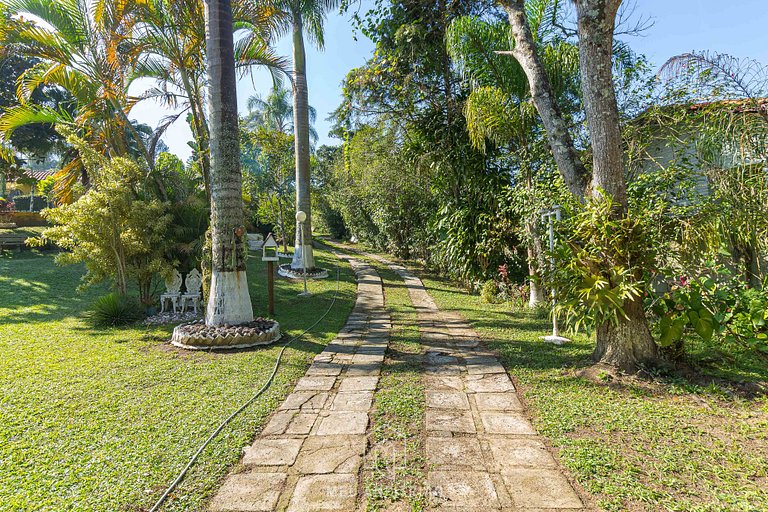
[738, 27]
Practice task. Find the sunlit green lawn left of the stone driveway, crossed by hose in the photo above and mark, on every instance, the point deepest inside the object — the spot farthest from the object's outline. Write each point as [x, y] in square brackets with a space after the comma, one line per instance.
[104, 419]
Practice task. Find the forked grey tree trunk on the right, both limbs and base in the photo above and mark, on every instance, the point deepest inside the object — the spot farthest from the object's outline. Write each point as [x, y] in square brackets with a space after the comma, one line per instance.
[629, 342]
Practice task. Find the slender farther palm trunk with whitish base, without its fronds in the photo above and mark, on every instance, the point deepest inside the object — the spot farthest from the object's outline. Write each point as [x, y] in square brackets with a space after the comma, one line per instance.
[303, 253]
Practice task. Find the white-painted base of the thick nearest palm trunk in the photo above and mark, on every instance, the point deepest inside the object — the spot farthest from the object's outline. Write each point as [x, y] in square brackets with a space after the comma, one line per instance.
[228, 300]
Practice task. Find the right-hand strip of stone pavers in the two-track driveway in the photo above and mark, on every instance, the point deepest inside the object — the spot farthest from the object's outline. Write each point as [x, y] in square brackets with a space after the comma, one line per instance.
[482, 452]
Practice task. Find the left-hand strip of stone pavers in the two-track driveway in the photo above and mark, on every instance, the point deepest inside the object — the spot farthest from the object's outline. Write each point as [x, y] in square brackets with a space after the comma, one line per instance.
[308, 456]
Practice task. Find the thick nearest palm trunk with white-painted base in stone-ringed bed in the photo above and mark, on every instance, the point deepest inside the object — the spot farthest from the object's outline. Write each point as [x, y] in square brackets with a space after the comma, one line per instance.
[228, 300]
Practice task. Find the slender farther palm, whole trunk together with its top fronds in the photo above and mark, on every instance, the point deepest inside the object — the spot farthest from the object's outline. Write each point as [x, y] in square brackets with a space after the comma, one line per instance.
[304, 15]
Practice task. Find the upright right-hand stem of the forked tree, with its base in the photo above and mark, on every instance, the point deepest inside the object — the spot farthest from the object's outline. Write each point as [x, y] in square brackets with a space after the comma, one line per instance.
[628, 342]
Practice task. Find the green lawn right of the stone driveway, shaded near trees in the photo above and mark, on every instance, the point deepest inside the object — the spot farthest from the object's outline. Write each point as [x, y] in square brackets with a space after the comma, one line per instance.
[666, 444]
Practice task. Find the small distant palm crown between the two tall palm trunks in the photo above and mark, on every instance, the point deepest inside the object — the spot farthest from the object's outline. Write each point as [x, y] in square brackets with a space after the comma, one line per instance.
[276, 112]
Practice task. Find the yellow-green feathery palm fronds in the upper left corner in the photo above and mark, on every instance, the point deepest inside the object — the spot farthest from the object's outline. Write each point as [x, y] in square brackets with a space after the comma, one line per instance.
[85, 48]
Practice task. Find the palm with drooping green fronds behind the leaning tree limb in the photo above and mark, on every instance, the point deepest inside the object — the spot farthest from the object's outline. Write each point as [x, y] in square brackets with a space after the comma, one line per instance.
[498, 107]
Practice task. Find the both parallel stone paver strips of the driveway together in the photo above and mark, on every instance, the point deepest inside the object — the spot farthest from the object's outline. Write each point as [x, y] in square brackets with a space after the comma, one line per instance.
[482, 452]
